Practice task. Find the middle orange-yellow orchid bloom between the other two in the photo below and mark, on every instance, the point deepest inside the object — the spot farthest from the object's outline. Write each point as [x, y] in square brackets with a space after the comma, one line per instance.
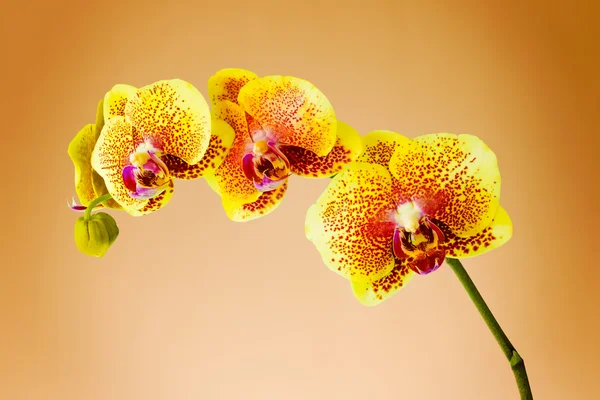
[283, 125]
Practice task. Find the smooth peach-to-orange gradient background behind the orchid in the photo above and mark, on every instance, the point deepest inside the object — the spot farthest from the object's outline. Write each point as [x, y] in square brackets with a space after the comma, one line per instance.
[188, 305]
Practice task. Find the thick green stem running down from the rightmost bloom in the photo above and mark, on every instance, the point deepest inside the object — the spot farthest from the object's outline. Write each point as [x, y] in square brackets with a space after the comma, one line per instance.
[516, 362]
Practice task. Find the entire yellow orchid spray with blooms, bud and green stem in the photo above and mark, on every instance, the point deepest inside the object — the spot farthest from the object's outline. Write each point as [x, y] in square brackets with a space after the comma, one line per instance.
[394, 208]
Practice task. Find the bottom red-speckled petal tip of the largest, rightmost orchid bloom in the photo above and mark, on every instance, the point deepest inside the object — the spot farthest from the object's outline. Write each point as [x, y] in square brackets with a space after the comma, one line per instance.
[373, 293]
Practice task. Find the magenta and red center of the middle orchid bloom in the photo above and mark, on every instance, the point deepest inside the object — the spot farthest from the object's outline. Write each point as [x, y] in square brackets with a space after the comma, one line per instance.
[266, 165]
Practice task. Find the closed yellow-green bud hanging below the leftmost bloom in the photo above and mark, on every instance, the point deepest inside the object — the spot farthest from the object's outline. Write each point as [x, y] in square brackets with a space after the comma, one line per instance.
[95, 235]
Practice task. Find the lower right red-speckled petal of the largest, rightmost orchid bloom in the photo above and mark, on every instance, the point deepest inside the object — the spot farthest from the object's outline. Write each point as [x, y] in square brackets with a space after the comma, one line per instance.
[494, 236]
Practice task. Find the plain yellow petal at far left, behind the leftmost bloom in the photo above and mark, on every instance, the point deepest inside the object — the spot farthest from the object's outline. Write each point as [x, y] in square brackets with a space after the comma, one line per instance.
[80, 150]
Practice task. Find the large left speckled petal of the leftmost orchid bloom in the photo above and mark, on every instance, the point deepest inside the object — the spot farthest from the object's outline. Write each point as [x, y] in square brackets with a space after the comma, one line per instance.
[117, 141]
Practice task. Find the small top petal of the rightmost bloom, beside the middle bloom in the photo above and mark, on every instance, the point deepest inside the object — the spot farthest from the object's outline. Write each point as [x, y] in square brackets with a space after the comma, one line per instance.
[379, 147]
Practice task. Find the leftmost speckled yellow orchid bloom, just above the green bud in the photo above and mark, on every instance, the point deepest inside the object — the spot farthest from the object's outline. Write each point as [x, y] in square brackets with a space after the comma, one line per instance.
[142, 139]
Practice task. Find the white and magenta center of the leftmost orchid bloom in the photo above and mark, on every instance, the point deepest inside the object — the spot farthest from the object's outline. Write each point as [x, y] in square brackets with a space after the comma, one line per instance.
[147, 176]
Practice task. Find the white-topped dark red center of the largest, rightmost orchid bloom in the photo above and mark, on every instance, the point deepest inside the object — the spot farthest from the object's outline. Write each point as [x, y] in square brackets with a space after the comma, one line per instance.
[417, 236]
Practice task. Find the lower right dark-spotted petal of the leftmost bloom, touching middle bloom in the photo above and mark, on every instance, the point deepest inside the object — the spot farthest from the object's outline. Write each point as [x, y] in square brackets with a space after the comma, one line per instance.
[220, 142]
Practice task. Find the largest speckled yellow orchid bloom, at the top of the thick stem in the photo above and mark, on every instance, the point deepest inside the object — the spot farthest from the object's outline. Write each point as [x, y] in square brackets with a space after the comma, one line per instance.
[404, 206]
